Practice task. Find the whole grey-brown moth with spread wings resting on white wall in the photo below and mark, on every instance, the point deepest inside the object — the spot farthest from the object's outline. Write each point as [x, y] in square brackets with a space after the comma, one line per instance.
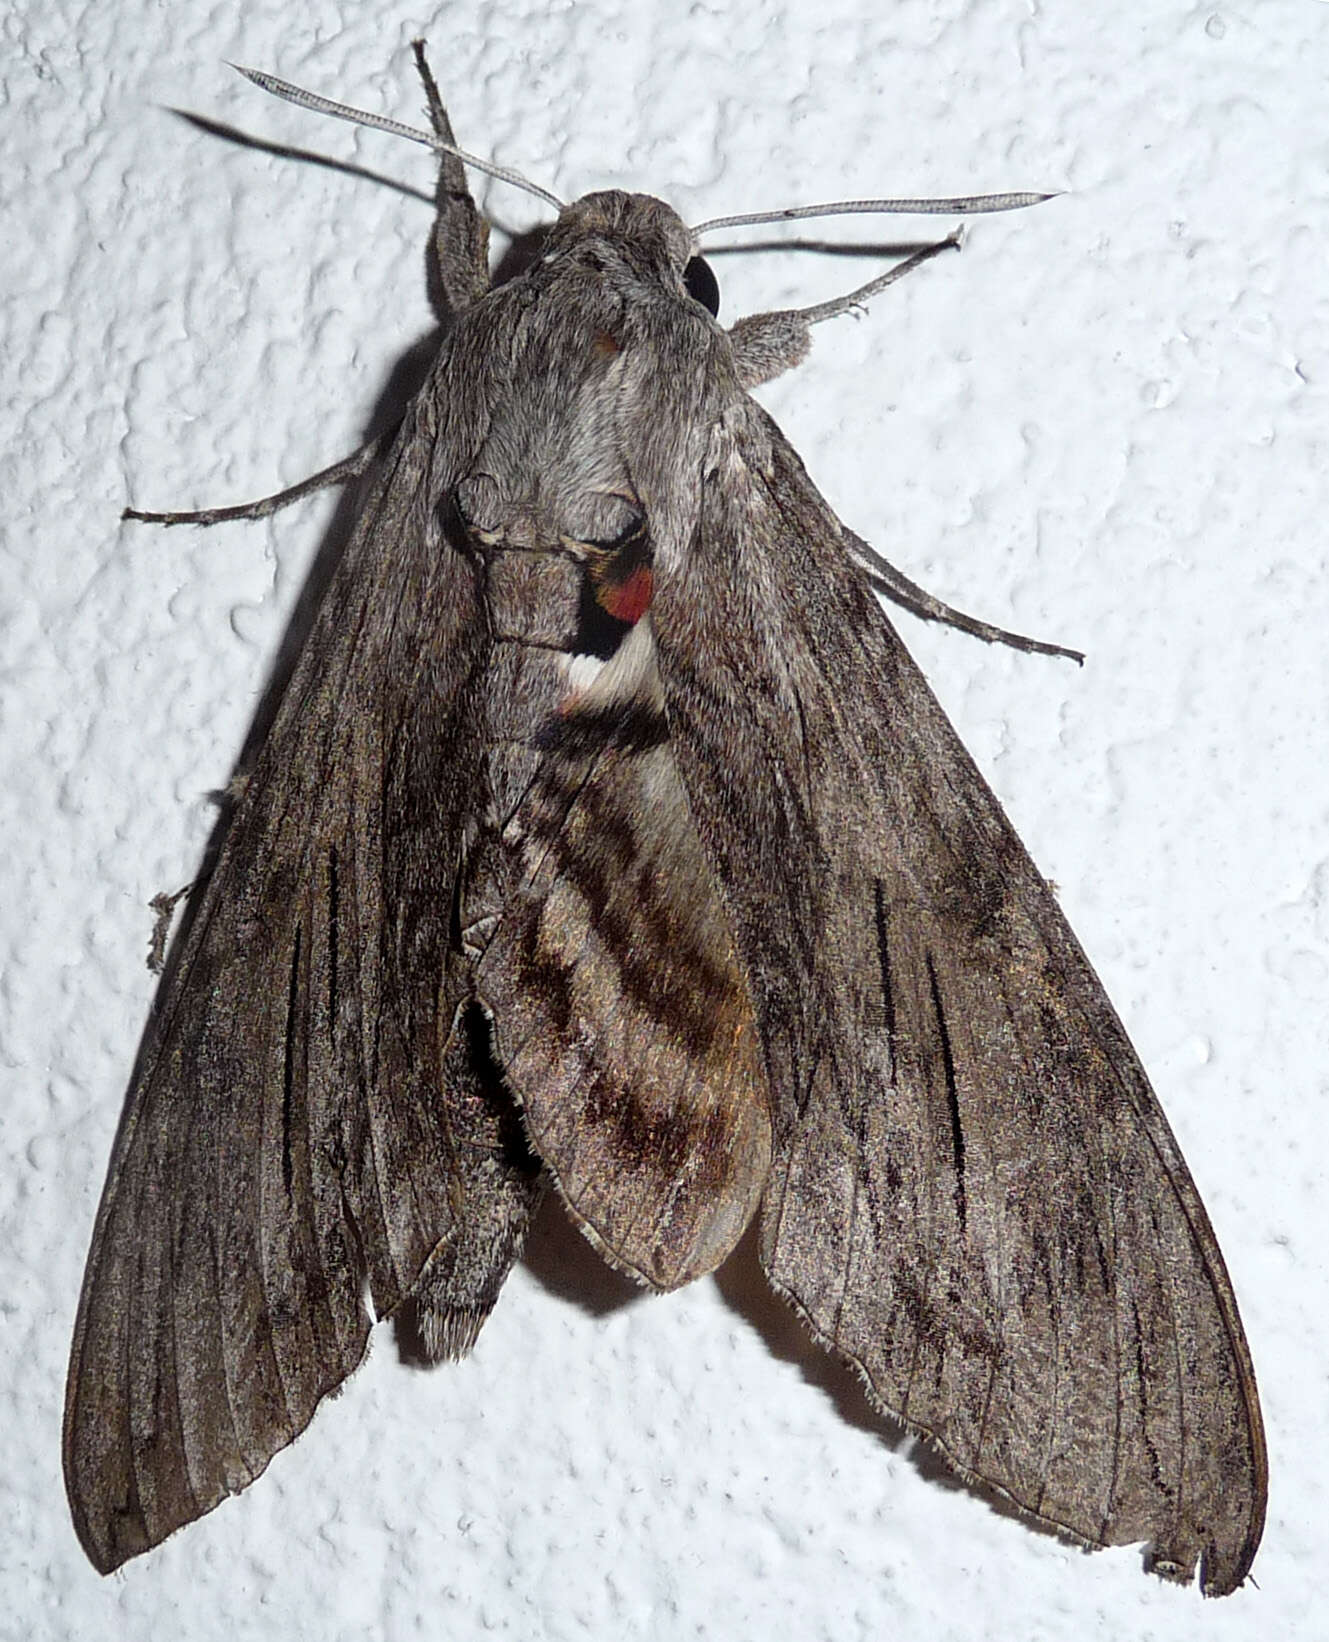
[607, 842]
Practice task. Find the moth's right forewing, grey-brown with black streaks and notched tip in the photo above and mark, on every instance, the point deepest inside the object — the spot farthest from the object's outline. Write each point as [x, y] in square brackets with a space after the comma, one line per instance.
[975, 1198]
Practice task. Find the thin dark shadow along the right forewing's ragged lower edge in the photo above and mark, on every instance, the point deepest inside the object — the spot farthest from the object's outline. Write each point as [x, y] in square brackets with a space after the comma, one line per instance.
[745, 1288]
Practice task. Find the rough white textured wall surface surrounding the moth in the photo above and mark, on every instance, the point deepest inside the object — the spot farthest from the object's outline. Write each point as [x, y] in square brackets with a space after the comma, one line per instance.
[1105, 424]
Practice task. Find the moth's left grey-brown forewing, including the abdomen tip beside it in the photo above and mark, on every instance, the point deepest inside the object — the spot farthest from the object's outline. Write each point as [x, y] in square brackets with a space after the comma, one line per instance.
[292, 1132]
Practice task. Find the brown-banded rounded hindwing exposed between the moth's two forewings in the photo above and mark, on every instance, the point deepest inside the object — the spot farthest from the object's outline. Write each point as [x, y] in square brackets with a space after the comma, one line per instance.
[622, 1017]
